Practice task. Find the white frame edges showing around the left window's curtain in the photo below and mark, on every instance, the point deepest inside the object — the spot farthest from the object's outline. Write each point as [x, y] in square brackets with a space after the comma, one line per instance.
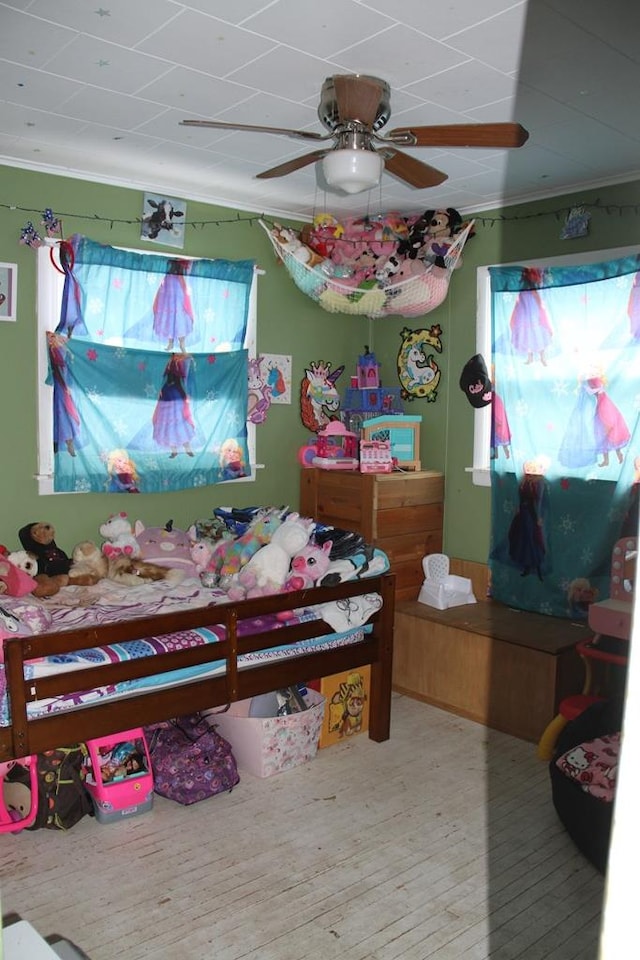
[50, 285]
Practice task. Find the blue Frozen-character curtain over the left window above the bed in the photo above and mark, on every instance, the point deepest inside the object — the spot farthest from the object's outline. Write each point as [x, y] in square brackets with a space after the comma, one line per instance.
[149, 371]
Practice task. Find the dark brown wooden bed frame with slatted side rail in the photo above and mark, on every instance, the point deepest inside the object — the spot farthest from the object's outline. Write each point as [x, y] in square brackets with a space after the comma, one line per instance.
[29, 736]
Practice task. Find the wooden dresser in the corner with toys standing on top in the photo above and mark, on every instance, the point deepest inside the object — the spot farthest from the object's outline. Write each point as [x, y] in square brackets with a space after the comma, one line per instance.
[401, 513]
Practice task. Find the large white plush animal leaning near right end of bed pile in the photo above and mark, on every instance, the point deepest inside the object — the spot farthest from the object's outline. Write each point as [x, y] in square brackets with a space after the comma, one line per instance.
[267, 570]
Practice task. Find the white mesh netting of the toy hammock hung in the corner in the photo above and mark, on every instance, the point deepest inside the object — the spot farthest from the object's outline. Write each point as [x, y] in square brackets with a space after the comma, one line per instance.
[411, 296]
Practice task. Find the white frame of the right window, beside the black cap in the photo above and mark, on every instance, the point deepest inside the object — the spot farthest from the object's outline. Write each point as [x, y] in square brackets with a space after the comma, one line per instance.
[482, 419]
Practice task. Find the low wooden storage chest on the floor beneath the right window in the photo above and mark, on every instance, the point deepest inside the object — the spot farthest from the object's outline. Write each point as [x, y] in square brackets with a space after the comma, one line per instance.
[508, 669]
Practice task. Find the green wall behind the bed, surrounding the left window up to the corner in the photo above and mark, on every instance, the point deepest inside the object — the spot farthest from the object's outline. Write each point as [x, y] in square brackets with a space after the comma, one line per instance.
[289, 323]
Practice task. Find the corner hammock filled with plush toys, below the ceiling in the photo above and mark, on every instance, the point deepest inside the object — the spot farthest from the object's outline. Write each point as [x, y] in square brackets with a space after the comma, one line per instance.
[367, 260]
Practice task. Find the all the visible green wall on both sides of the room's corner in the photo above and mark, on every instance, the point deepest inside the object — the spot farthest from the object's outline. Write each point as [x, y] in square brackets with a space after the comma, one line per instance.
[288, 323]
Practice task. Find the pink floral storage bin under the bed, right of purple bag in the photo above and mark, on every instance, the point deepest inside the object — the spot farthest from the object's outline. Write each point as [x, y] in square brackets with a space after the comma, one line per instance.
[266, 745]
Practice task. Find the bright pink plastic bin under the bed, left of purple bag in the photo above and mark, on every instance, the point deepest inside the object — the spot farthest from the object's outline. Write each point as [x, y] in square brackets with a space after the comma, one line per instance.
[119, 778]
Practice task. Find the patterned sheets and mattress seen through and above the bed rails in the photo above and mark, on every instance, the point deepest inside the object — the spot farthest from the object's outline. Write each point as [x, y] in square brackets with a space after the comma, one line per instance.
[109, 602]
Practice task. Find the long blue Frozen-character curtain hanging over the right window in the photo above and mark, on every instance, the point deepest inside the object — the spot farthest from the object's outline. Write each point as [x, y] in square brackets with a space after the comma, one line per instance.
[565, 439]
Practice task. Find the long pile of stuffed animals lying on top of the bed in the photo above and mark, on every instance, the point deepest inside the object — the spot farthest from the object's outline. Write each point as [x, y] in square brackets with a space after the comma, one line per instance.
[247, 553]
